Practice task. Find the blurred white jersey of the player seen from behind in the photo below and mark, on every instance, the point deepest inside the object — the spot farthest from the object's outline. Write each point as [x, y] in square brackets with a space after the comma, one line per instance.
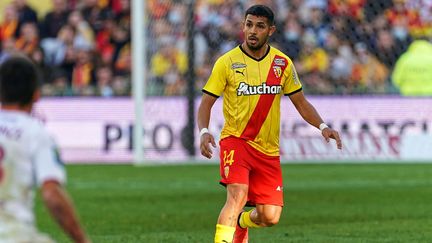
[28, 158]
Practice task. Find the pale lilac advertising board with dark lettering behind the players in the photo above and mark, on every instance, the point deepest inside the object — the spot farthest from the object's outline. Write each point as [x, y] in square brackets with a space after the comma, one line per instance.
[372, 129]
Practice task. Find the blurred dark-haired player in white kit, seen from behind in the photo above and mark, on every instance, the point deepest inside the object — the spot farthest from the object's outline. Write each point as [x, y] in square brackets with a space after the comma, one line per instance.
[28, 159]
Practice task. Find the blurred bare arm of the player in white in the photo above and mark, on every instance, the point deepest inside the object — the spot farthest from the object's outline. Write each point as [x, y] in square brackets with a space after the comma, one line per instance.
[60, 207]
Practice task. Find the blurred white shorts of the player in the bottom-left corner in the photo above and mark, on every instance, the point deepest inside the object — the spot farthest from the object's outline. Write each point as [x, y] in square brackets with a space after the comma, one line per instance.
[17, 232]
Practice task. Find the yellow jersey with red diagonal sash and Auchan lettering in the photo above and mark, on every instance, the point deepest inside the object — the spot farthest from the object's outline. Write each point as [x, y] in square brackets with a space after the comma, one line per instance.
[252, 91]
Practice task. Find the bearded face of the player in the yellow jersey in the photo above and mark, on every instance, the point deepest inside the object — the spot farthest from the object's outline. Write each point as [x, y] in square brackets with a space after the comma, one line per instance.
[257, 30]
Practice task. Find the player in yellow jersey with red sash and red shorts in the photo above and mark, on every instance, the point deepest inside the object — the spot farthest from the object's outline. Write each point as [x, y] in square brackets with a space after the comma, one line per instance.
[252, 79]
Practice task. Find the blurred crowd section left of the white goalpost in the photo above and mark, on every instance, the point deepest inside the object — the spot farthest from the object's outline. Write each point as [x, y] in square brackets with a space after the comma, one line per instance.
[81, 47]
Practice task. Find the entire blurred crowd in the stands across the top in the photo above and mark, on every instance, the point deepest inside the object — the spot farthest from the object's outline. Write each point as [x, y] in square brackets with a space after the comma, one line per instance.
[338, 46]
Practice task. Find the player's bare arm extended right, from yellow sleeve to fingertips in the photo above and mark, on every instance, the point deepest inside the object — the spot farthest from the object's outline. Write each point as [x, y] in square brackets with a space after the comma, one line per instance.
[309, 114]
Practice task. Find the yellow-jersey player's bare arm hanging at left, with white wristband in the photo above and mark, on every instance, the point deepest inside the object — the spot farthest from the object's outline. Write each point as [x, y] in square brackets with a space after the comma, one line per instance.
[204, 112]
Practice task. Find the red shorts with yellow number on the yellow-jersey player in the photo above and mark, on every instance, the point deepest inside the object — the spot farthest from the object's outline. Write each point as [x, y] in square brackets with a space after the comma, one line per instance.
[243, 164]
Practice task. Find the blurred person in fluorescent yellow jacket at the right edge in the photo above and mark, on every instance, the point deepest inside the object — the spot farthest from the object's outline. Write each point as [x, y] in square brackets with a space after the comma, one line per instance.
[413, 71]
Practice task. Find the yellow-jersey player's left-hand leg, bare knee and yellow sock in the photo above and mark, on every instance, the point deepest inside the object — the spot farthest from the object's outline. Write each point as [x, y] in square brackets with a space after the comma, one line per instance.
[226, 224]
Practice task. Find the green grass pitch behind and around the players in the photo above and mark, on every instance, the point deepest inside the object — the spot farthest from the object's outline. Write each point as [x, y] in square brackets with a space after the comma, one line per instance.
[323, 203]
